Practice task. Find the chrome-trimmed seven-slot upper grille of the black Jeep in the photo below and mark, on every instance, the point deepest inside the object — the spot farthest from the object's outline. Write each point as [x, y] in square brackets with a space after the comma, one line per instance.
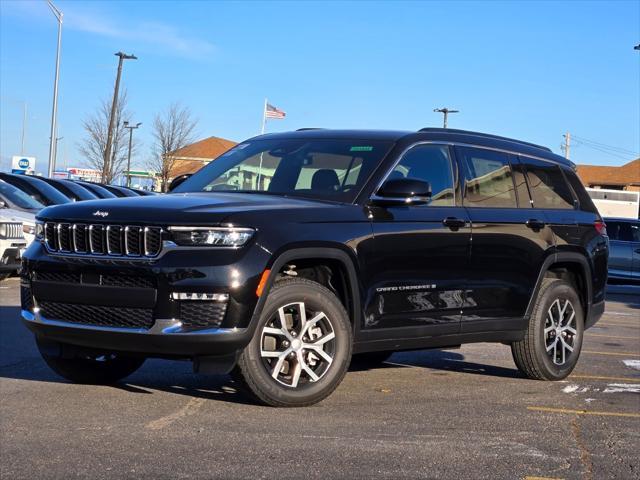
[97, 239]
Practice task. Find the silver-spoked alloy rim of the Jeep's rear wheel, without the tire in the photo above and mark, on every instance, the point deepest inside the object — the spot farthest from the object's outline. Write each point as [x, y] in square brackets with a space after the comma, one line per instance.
[560, 331]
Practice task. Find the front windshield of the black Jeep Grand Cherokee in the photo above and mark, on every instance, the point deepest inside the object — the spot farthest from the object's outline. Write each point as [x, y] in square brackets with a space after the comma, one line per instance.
[324, 169]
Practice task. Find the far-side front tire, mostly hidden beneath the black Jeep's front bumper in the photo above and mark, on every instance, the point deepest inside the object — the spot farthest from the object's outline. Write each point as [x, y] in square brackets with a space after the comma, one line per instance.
[94, 370]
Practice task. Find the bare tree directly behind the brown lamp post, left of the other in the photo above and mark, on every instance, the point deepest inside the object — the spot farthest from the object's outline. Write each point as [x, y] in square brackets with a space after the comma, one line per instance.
[93, 146]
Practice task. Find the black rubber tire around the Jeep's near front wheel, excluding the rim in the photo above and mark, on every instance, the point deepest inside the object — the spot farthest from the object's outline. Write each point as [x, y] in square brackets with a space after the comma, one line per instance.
[316, 298]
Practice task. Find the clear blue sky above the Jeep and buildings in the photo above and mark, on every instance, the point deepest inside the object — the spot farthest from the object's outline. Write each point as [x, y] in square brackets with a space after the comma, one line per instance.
[531, 70]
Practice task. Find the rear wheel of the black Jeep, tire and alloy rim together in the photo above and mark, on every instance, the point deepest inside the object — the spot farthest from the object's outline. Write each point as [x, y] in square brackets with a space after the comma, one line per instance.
[553, 340]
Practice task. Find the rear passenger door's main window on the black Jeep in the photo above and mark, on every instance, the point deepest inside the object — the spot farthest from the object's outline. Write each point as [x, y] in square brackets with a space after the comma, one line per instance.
[489, 180]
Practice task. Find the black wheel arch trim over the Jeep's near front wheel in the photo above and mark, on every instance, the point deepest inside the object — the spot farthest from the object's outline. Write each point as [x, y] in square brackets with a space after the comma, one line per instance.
[331, 253]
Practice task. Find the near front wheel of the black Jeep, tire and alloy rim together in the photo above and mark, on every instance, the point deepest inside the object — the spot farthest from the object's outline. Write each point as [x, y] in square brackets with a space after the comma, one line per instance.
[301, 348]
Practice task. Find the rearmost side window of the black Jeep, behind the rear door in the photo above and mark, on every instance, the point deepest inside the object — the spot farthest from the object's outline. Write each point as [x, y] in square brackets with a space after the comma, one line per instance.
[547, 185]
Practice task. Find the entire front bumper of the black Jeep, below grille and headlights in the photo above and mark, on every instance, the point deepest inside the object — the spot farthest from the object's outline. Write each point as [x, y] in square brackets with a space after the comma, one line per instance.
[124, 305]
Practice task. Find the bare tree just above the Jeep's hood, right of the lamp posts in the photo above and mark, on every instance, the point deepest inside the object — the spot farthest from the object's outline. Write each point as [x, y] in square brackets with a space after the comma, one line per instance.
[172, 129]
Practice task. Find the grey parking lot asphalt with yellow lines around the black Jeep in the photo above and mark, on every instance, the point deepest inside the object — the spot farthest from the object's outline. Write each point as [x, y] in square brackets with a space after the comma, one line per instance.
[463, 413]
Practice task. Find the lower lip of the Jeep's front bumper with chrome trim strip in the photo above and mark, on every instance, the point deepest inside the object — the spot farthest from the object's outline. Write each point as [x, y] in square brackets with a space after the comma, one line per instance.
[165, 339]
